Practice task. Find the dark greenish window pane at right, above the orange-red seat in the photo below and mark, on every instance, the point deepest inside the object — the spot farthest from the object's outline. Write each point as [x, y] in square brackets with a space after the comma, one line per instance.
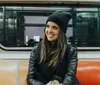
[86, 27]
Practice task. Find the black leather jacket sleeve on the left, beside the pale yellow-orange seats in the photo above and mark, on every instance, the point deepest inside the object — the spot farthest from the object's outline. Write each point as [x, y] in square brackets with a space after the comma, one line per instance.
[32, 70]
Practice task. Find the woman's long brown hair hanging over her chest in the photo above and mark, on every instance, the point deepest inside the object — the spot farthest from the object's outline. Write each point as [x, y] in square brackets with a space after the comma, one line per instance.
[55, 53]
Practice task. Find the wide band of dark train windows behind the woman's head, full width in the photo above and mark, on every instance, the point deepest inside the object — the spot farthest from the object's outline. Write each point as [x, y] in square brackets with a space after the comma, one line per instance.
[22, 26]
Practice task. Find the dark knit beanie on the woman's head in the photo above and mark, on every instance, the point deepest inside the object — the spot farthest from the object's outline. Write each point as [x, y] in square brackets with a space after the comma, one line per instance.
[61, 18]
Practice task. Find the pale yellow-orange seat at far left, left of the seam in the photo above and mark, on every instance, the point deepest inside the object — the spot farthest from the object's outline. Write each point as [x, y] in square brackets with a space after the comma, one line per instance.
[8, 73]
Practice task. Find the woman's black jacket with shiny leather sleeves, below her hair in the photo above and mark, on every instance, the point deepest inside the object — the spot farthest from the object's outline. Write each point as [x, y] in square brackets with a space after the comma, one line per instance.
[41, 74]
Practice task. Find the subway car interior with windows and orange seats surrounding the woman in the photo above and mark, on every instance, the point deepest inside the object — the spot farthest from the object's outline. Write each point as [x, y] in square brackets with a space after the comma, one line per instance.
[22, 28]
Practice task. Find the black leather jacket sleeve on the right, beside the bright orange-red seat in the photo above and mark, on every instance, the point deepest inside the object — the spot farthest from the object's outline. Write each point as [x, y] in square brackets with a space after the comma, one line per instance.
[72, 67]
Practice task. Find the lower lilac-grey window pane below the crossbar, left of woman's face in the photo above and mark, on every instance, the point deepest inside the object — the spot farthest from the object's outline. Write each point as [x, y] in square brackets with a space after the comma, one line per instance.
[35, 33]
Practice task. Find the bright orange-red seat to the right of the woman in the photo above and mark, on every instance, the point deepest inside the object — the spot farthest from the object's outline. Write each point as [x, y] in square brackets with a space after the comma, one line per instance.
[88, 72]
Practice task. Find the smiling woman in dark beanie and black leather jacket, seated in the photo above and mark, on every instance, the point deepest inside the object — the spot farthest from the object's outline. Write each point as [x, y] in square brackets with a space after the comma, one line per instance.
[53, 61]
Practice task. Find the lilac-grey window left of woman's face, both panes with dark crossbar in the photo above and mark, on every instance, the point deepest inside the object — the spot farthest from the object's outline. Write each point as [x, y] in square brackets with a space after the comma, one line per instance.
[32, 29]
